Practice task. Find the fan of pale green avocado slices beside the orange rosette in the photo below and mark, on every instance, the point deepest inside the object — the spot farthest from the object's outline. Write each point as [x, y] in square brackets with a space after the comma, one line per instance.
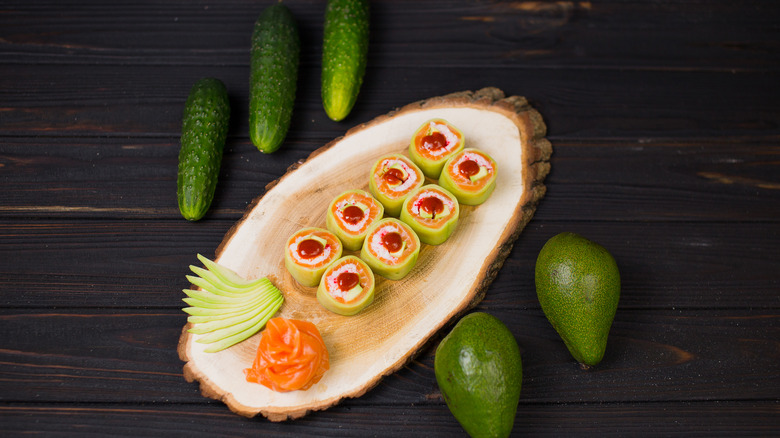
[226, 308]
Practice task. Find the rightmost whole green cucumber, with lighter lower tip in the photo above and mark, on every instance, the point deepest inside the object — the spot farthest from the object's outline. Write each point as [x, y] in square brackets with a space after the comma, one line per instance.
[344, 55]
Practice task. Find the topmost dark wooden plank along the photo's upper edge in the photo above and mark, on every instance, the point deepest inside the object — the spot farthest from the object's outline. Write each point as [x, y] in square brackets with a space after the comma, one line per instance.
[606, 34]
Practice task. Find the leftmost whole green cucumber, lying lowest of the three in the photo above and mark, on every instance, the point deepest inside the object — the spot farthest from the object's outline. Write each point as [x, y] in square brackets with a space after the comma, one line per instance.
[203, 133]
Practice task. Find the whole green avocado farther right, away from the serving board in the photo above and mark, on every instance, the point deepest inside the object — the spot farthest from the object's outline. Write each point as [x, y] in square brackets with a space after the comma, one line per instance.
[578, 286]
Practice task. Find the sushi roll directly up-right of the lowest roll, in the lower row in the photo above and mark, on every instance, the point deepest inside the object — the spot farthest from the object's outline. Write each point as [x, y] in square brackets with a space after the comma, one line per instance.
[391, 248]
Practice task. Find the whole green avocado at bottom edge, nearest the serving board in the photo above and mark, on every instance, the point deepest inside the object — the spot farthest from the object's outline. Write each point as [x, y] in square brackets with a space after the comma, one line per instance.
[479, 371]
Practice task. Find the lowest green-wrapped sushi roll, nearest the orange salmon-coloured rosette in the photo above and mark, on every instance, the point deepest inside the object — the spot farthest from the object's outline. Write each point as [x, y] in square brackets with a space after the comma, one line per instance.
[347, 286]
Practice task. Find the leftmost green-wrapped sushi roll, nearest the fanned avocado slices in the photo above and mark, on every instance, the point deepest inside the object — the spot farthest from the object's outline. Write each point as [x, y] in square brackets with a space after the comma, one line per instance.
[310, 251]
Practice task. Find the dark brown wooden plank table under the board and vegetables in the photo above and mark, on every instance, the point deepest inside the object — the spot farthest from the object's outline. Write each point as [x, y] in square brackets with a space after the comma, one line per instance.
[664, 118]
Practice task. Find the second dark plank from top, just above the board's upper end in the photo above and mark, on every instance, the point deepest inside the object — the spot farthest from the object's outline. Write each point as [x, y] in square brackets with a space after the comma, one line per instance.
[146, 101]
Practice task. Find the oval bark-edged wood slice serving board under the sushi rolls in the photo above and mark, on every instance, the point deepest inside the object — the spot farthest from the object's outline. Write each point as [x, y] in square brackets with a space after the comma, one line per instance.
[445, 282]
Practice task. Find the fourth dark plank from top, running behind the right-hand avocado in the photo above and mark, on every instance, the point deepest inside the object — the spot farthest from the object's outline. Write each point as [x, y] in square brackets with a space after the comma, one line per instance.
[85, 263]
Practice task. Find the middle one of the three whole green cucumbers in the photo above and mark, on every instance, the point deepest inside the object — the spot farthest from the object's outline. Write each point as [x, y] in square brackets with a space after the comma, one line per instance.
[275, 57]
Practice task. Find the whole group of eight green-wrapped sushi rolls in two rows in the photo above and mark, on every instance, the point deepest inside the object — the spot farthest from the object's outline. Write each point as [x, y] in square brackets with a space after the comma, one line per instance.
[389, 246]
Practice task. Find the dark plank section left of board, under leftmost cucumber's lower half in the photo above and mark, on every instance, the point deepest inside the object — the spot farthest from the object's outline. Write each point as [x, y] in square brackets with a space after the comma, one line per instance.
[130, 178]
